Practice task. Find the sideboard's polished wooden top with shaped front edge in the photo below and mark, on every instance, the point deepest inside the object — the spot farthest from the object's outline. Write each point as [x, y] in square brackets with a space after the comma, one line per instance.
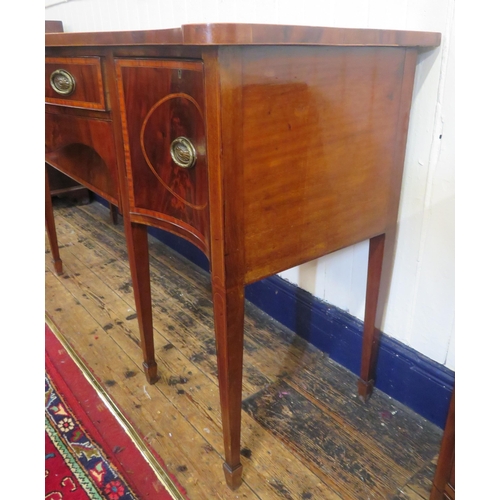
[248, 34]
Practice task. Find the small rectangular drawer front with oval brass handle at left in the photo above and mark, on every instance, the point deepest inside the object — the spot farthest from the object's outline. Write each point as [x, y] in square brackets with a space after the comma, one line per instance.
[75, 82]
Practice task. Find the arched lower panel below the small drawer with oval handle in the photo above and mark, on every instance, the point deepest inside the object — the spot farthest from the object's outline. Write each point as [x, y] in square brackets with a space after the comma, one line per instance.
[83, 149]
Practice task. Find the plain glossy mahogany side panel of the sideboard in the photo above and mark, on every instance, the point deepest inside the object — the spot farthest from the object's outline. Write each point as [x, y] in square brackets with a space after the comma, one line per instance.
[320, 128]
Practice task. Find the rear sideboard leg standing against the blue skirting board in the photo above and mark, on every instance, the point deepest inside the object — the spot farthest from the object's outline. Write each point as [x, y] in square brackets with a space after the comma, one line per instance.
[371, 334]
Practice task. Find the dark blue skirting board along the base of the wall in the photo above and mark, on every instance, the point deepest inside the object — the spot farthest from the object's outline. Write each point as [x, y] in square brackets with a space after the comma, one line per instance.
[402, 373]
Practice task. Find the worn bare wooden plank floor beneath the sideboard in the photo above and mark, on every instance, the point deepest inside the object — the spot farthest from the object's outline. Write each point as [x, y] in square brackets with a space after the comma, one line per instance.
[304, 433]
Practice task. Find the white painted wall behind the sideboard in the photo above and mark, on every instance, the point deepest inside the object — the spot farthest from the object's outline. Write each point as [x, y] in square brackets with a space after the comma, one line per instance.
[420, 307]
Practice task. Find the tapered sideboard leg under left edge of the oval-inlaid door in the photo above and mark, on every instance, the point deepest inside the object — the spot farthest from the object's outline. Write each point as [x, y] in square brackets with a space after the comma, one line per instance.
[138, 251]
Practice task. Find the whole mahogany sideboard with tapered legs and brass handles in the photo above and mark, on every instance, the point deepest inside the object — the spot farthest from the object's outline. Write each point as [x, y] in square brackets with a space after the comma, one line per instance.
[265, 146]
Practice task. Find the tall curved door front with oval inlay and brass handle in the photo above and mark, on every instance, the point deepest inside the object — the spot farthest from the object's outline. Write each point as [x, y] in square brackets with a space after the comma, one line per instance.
[162, 109]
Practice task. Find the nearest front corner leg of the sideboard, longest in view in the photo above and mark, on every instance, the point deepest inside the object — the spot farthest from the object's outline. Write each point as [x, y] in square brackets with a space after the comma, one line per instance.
[229, 311]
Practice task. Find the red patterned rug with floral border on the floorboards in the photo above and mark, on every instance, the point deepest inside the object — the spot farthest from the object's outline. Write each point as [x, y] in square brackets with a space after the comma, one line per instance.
[88, 455]
